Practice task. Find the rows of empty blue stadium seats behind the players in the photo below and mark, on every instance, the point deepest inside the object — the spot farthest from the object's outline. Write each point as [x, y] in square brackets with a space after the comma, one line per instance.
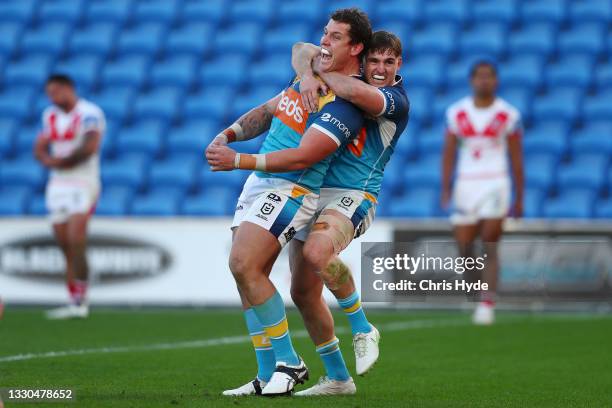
[169, 74]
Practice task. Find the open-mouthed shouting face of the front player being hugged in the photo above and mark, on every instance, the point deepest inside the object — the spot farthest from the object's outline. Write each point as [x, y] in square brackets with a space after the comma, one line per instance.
[336, 48]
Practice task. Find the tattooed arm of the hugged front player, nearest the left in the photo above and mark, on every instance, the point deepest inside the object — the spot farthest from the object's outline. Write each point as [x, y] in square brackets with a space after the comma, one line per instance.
[250, 125]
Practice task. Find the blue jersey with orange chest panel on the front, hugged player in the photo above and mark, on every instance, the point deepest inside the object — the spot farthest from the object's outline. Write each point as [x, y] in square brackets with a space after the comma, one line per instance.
[336, 117]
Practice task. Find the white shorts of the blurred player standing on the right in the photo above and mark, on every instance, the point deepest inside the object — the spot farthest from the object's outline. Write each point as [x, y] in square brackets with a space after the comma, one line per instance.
[478, 199]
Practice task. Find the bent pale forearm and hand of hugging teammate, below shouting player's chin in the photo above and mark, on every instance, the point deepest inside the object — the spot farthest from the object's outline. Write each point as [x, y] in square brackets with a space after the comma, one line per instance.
[302, 55]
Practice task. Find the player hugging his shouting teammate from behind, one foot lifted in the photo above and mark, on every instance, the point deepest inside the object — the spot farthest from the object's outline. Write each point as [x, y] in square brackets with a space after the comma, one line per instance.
[347, 203]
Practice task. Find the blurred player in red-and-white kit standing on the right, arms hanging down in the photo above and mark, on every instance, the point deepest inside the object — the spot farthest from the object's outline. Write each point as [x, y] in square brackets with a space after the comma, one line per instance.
[482, 130]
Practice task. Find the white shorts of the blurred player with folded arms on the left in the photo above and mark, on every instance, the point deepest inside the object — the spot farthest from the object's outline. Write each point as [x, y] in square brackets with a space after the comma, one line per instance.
[65, 198]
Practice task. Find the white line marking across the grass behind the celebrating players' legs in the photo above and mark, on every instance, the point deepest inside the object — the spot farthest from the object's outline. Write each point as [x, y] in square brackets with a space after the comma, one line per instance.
[385, 327]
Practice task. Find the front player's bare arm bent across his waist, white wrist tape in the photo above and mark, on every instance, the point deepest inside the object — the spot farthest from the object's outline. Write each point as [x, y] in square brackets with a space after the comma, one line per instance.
[314, 147]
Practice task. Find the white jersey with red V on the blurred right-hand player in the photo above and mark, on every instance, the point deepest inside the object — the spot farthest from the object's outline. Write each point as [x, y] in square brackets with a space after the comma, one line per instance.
[482, 136]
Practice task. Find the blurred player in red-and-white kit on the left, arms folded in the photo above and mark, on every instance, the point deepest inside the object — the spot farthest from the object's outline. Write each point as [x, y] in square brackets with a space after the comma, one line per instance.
[68, 145]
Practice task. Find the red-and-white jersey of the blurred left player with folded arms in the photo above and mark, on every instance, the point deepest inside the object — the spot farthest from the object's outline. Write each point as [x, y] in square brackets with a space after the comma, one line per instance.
[67, 132]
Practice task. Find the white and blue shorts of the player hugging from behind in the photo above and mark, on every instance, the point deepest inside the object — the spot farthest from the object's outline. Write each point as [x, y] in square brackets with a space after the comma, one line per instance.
[358, 206]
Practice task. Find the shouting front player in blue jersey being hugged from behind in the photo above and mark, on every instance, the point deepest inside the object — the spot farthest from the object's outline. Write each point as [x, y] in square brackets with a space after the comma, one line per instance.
[274, 206]
